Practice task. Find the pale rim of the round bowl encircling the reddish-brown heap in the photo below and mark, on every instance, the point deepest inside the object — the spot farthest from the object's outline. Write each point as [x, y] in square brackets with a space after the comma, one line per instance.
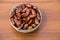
[25, 31]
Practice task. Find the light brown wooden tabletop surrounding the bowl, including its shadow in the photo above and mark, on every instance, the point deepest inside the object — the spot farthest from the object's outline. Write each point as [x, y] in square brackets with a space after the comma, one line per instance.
[48, 30]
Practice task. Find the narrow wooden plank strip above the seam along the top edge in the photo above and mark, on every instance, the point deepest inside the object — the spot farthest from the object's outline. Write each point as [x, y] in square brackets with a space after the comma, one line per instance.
[27, 1]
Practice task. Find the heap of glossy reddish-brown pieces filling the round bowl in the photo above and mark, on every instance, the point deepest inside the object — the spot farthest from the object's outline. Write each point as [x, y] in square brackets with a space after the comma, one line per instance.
[25, 17]
